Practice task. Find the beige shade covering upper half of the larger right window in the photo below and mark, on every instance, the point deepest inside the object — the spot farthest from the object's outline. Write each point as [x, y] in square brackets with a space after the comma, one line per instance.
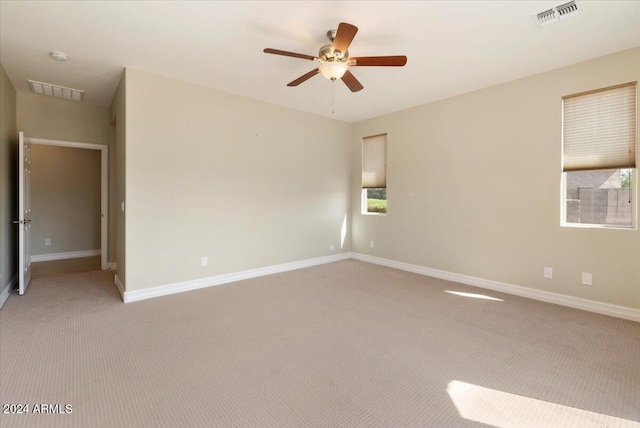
[599, 129]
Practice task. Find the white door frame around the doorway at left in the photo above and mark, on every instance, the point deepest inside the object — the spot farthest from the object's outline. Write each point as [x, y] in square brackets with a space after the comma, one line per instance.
[104, 186]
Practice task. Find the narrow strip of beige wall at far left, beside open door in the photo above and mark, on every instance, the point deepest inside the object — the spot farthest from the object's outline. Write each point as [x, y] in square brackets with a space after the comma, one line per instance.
[8, 182]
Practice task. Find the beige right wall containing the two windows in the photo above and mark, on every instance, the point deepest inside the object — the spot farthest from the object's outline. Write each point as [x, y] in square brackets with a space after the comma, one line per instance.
[474, 188]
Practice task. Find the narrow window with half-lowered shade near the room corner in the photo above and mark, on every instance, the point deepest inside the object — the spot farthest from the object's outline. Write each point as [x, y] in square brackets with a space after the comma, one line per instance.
[374, 175]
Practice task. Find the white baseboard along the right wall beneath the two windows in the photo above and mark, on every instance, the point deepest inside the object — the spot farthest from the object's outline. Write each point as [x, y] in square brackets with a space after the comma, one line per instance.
[545, 296]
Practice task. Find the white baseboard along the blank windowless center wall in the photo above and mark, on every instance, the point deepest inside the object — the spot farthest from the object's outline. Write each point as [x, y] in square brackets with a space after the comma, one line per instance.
[179, 287]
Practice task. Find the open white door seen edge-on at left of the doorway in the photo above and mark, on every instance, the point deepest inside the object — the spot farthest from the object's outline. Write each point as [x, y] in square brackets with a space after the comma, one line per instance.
[24, 213]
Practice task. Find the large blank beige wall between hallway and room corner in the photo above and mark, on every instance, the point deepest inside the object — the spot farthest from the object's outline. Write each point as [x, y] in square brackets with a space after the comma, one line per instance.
[244, 183]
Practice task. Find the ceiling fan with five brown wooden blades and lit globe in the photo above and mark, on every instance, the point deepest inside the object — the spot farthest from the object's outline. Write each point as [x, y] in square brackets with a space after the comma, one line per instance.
[335, 61]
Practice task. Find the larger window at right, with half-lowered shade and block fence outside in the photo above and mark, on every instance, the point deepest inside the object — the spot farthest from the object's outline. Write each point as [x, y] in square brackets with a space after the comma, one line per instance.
[599, 157]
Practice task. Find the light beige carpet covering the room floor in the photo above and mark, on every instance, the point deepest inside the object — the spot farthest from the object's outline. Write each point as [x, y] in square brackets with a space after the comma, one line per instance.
[346, 344]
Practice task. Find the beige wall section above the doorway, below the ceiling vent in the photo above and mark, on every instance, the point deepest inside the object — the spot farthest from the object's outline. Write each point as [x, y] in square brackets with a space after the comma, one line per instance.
[40, 116]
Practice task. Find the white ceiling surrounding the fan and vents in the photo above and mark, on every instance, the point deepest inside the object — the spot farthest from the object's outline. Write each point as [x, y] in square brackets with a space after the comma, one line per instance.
[452, 47]
